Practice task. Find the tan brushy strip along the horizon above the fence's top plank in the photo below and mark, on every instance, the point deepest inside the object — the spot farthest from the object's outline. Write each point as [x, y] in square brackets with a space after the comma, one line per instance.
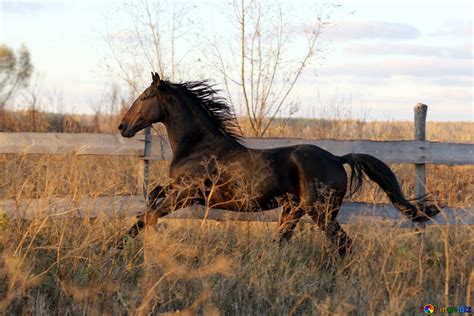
[43, 122]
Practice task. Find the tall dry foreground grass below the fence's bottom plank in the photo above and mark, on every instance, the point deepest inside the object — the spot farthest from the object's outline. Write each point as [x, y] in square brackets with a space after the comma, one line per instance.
[66, 267]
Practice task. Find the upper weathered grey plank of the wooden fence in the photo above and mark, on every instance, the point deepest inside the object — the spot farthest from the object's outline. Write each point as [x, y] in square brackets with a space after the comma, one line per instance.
[114, 144]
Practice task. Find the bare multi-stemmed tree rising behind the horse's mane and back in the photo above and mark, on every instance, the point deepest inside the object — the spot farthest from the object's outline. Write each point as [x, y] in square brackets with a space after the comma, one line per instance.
[265, 67]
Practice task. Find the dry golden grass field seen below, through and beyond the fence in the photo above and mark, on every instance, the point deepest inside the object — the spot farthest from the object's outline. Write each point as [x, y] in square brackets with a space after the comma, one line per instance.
[67, 266]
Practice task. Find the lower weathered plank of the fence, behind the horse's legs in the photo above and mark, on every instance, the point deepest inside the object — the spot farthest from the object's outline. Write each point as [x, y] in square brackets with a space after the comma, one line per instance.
[113, 206]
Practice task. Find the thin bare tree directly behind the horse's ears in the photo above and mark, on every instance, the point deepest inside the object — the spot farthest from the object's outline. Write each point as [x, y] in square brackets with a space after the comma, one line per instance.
[157, 40]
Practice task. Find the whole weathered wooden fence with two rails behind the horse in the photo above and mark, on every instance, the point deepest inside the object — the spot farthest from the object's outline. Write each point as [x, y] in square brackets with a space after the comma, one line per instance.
[418, 152]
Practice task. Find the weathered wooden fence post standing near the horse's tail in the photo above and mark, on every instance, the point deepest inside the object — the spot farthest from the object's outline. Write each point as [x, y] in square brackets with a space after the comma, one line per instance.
[420, 134]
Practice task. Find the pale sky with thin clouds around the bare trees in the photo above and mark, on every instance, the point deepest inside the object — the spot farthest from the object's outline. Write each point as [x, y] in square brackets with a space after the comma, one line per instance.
[380, 57]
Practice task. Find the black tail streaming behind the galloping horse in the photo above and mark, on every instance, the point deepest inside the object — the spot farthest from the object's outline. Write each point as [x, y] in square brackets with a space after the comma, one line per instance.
[381, 174]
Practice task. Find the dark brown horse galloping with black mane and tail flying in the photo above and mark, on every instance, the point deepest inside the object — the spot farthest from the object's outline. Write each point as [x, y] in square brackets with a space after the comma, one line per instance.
[211, 167]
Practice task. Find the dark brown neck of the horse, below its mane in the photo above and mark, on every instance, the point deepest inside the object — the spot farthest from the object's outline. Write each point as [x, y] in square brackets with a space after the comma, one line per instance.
[191, 130]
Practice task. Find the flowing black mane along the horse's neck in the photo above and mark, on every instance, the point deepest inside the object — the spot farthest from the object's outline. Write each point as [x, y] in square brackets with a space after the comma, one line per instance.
[219, 110]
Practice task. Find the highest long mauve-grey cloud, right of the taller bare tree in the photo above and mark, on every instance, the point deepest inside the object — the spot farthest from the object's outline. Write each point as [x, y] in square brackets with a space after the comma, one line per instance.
[356, 30]
